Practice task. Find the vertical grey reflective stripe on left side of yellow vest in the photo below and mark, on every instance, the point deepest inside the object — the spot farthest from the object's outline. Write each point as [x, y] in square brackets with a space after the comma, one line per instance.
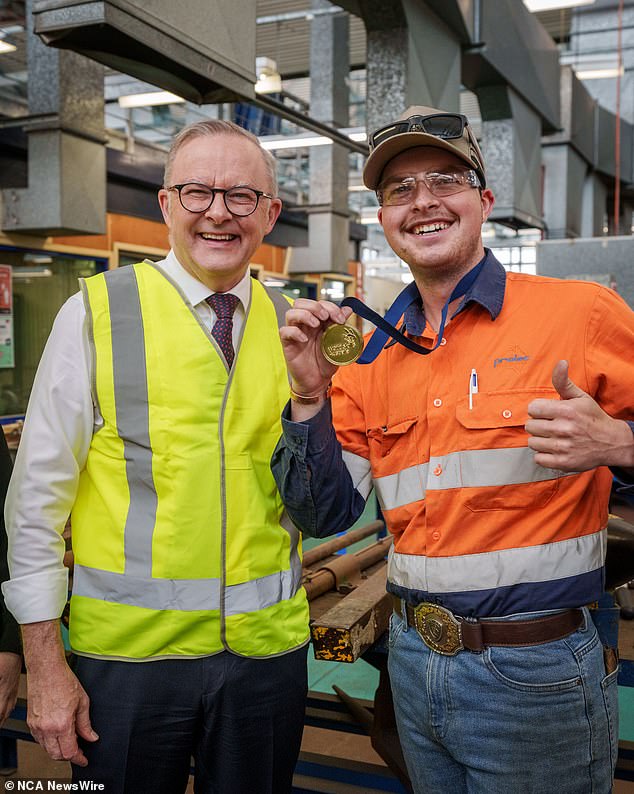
[133, 424]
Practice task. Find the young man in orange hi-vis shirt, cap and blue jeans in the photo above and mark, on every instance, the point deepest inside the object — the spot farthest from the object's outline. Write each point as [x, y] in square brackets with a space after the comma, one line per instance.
[488, 454]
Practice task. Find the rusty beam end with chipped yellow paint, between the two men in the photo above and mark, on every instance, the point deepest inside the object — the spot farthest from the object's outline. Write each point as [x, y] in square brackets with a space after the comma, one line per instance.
[346, 630]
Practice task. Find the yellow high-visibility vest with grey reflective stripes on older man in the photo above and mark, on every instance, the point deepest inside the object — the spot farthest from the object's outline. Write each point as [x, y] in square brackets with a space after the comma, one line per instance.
[182, 546]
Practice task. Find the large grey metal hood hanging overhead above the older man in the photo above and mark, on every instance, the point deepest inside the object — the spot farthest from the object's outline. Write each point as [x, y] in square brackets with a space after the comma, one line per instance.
[204, 52]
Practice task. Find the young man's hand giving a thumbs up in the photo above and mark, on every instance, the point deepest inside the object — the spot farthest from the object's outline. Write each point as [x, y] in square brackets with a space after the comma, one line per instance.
[574, 433]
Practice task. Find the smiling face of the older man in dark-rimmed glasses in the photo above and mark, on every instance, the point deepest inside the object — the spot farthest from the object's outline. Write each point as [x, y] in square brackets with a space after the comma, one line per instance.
[216, 246]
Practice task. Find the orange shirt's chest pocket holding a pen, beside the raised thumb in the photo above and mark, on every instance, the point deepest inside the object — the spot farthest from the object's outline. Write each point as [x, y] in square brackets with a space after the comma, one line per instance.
[497, 468]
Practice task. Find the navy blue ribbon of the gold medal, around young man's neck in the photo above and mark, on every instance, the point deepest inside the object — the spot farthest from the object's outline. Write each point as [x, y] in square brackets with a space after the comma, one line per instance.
[385, 326]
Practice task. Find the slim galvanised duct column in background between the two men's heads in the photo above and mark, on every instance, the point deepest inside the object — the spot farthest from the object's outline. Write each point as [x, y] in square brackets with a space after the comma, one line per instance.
[328, 222]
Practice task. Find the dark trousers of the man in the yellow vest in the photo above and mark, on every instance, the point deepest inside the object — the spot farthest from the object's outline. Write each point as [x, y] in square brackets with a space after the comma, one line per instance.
[240, 719]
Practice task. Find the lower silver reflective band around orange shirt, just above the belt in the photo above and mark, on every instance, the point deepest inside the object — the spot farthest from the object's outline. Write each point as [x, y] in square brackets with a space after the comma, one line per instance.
[489, 570]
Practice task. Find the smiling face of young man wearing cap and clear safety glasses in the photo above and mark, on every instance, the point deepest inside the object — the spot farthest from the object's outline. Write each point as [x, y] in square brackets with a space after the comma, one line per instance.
[439, 238]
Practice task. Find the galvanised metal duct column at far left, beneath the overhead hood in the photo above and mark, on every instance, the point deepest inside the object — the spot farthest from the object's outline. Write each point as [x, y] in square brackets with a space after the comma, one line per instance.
[66, 154]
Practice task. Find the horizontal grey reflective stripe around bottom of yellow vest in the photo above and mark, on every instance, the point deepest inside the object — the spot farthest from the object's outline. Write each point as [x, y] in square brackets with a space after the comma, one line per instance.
[183, 595]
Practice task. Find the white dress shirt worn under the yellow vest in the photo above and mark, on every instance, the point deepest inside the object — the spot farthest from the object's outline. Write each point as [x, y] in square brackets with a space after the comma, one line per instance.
[60, 421]
